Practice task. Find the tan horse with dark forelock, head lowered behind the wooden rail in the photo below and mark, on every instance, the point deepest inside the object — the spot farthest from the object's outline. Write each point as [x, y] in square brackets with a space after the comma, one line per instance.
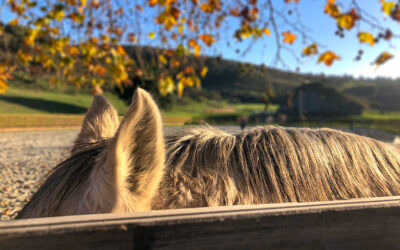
[130, 166]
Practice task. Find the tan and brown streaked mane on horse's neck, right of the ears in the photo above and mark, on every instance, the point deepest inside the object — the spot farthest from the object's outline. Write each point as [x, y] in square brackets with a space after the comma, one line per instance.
[208, 167]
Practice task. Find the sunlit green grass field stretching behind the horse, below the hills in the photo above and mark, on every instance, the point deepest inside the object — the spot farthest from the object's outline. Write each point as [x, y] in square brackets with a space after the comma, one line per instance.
[21, 107]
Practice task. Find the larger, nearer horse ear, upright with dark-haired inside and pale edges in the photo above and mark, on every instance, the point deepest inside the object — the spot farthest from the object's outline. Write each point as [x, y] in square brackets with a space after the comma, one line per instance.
[137, 154]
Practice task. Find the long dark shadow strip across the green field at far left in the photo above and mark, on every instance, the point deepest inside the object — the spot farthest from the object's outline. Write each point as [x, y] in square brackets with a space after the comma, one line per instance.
[45, 105]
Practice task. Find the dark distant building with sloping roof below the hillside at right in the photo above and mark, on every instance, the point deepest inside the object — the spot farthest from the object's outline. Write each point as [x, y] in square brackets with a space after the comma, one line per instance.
[315, 99]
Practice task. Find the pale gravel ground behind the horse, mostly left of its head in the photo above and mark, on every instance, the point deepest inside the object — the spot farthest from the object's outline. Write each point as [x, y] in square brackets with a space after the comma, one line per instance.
[26, 158]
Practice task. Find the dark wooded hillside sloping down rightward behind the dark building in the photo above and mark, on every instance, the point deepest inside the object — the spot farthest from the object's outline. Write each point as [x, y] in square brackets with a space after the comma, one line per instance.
[247, 84]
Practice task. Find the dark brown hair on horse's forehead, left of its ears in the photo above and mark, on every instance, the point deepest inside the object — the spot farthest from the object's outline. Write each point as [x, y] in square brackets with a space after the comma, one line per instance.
[63, 180]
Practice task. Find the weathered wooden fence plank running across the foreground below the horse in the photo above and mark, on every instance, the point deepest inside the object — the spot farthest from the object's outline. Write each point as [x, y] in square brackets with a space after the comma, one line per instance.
[352, 224]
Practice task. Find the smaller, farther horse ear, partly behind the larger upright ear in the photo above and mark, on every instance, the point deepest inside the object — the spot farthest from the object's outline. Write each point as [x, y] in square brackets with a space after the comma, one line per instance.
[100, 122]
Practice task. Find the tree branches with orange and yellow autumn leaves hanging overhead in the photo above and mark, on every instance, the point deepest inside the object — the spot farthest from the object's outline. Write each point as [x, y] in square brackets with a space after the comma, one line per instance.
[85, 42]
